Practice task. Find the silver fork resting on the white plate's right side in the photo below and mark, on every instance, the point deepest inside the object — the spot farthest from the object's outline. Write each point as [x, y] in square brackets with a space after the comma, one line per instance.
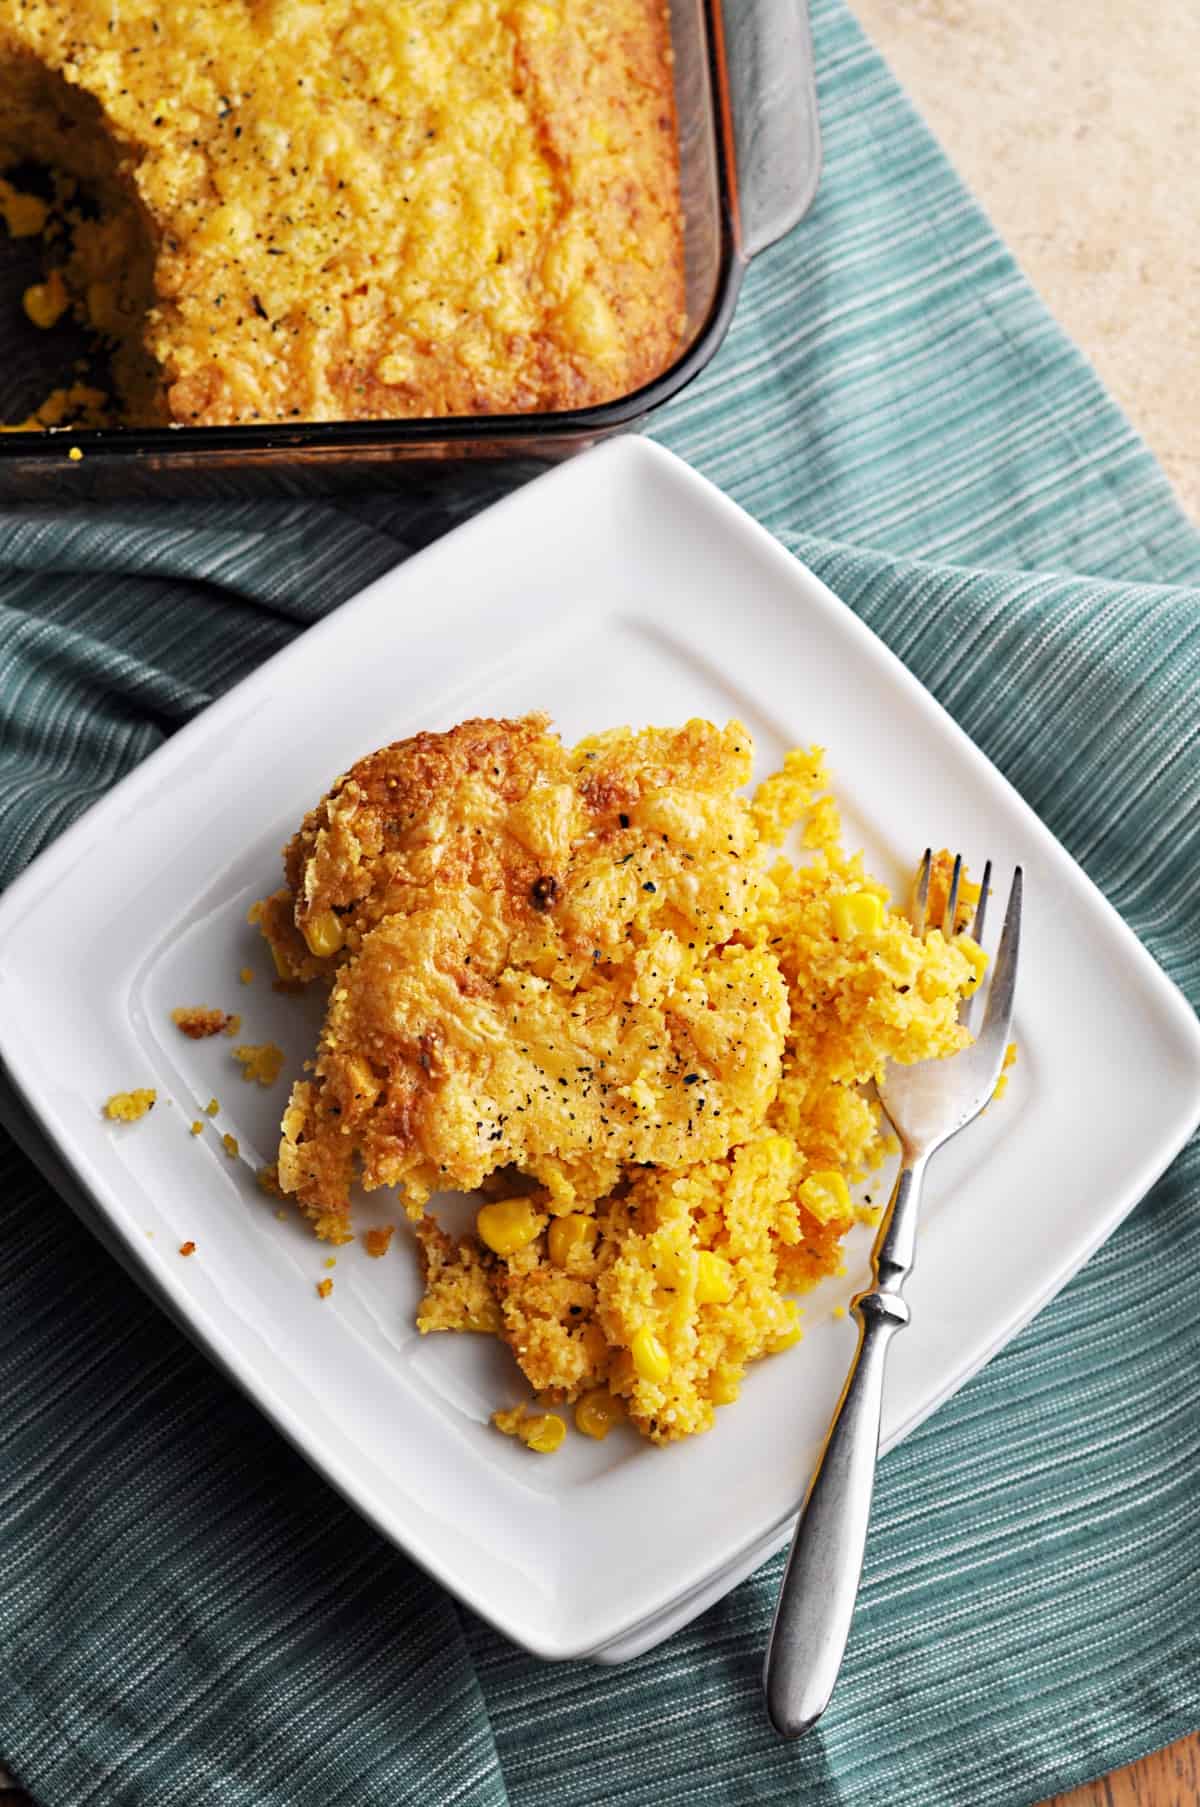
[928, 1103]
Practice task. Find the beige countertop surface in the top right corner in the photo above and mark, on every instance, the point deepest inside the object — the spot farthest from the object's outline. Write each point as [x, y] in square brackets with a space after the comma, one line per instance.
[1078, 127]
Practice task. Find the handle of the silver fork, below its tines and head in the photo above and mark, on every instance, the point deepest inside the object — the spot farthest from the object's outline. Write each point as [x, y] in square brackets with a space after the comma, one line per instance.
[825, 1564]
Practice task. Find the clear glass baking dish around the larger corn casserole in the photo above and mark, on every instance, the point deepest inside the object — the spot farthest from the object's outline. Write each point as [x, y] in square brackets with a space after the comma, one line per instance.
[749, 156]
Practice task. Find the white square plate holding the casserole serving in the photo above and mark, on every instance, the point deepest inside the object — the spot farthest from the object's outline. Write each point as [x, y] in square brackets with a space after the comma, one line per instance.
[619, 588]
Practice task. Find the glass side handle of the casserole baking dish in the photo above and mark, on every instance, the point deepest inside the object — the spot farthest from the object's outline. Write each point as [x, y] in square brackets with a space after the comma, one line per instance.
[773, 89]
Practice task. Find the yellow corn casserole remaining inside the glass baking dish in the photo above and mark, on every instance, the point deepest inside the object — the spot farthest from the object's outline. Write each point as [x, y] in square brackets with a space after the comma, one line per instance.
[357, 209]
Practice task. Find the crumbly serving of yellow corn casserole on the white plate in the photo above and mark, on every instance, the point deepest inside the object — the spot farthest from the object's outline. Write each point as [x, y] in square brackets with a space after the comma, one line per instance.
[586, 982]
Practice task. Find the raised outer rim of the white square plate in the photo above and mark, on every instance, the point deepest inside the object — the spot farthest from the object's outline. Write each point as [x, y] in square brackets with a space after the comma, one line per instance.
[61, 856]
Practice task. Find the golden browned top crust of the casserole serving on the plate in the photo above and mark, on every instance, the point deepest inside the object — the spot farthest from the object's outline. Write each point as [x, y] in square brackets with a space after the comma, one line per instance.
[536, 962]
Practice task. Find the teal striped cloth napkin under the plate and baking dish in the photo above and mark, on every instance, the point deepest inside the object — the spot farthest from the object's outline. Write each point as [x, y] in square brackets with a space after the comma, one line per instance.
[187, 1615]
